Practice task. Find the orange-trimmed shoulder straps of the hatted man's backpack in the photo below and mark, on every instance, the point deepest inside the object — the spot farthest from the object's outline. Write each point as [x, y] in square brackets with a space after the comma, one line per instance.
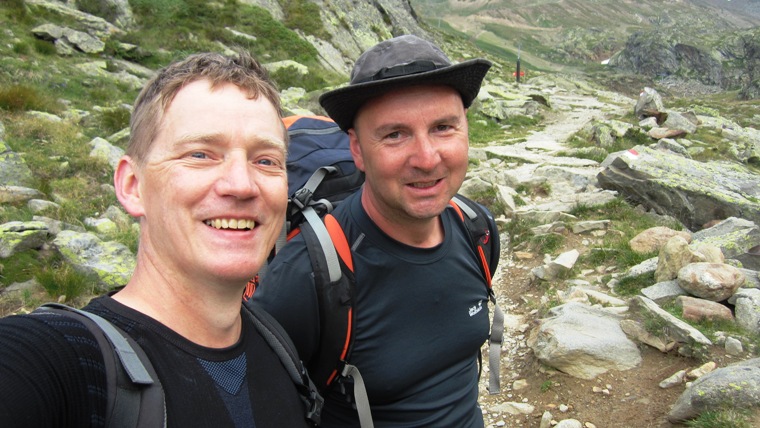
[334, 279]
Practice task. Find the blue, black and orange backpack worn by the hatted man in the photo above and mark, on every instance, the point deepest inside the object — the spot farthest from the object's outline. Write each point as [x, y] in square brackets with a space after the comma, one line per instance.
[309, 207]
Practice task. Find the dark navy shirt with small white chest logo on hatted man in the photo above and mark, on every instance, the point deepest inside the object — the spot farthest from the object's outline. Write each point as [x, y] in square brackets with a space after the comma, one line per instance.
[421, 316]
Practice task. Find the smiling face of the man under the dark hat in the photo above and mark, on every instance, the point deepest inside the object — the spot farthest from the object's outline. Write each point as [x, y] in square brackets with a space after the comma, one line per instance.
[412, 144]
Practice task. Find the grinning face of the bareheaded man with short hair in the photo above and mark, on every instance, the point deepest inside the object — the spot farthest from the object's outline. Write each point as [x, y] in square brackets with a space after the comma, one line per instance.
[213, 190]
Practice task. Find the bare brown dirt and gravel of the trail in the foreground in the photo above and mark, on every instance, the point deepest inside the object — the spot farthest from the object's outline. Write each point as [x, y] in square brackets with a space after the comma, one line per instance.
[615, 399]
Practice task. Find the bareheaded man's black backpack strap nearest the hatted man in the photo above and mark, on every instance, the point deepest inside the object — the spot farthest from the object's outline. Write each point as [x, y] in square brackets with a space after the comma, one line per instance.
[281, 344]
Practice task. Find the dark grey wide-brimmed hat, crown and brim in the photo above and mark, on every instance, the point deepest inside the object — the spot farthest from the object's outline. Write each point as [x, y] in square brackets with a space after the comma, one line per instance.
[402, 61]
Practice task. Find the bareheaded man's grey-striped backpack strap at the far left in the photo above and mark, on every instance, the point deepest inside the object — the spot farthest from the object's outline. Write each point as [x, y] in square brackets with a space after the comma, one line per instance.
[135, 395]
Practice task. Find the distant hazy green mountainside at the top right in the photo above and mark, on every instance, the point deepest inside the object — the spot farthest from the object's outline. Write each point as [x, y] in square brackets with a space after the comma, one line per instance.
[711, 42]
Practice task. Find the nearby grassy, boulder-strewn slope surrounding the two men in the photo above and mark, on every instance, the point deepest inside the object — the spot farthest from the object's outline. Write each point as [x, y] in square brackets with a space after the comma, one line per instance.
[629, 218]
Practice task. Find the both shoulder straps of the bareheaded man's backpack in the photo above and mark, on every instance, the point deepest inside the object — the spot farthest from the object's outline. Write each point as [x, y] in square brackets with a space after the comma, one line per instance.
[135, 395]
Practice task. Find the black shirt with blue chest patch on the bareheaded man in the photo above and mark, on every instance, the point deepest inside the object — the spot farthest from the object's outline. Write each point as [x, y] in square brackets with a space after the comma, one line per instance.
[51, 374]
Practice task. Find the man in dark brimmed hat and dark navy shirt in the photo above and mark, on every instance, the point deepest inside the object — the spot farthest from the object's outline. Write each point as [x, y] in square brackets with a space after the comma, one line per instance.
[420, 312]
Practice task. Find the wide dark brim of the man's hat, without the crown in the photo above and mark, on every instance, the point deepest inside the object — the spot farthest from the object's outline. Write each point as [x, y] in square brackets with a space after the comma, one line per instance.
[466, 77]
